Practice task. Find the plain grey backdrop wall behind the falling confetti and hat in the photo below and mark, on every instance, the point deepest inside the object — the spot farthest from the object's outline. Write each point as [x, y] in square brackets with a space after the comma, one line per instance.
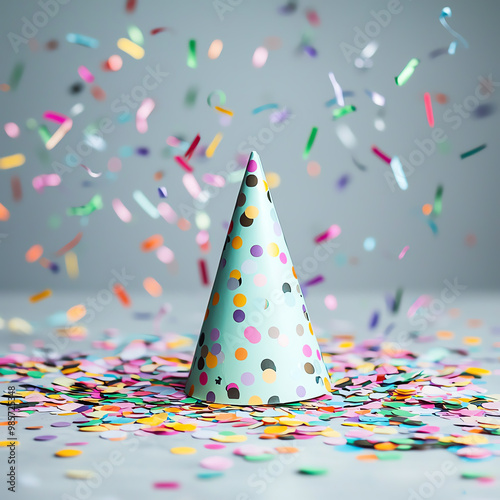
[306, 205]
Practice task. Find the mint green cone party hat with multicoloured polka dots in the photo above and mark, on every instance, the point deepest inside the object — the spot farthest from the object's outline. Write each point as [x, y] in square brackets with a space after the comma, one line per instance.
[256, 344]
